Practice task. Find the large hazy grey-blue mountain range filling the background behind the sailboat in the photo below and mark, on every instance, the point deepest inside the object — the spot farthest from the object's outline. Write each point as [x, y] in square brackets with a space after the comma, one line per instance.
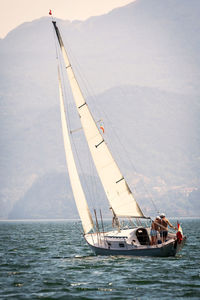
[142, 61]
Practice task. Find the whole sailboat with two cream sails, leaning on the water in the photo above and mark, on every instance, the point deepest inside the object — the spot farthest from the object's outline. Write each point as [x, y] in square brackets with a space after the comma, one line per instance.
[134, 239]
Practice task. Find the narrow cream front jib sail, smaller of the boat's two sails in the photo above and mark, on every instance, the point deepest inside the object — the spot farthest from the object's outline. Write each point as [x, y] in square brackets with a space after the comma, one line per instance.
[78, 193]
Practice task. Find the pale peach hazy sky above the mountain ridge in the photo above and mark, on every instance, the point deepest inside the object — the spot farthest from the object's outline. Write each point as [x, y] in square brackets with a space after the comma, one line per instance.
[15, 12]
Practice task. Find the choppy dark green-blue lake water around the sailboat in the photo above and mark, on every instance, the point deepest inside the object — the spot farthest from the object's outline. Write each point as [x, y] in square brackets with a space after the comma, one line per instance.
[50, 260]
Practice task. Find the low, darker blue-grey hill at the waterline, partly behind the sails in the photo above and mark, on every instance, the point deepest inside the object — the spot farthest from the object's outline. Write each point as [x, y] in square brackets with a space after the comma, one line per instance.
[41, 201]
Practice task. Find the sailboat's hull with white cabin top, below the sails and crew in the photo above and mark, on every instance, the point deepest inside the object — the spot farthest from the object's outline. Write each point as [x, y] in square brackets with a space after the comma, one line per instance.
[127, 243]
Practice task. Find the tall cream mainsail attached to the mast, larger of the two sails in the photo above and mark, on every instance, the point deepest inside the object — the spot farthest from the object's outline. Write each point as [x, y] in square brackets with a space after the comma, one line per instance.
[118, 193]
